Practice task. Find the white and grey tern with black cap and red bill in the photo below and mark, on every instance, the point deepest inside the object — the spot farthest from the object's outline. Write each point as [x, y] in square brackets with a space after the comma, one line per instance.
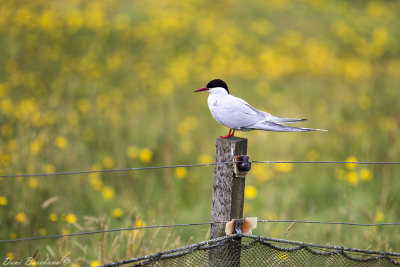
[238, 115]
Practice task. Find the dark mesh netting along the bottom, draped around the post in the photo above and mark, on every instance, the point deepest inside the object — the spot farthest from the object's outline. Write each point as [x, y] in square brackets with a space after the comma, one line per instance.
[246, 250]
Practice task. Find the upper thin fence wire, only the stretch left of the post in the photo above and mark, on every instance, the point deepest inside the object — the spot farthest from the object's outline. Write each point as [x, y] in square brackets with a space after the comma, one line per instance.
[113, 170]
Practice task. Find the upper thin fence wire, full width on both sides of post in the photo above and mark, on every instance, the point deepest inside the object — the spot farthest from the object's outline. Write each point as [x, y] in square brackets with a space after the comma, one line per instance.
[194, 165]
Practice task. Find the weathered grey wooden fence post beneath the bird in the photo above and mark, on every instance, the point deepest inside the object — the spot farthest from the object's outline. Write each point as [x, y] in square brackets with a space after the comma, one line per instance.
[228, 194]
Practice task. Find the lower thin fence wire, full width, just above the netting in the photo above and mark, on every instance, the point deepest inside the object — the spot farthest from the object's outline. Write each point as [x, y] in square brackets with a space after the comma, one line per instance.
[189, 224]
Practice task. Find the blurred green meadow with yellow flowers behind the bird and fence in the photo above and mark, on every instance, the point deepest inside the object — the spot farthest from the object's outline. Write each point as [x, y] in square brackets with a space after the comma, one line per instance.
[89, 85]
